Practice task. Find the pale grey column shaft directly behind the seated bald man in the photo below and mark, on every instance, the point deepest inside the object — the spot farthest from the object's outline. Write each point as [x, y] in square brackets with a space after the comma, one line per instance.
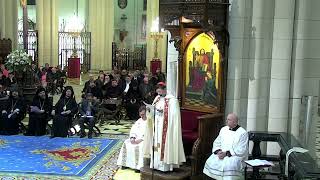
[237, 92]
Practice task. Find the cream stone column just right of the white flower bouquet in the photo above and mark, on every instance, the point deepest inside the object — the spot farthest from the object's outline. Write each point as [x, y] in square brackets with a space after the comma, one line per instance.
[47, 26]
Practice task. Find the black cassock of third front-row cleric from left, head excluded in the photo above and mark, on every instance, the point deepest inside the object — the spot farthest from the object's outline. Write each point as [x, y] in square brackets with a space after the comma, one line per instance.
[62, 122]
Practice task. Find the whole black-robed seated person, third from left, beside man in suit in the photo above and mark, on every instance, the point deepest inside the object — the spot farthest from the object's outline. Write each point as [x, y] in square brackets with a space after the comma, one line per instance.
[63, 112]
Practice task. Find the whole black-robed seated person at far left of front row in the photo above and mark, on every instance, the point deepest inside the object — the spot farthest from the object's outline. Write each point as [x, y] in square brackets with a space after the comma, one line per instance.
[12, 113]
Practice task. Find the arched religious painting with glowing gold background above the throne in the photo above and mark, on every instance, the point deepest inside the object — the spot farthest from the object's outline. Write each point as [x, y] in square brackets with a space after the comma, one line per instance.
[202, 65]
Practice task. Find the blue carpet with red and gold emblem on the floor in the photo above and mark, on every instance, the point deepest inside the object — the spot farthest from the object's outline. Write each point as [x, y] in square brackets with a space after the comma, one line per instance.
[23, 157]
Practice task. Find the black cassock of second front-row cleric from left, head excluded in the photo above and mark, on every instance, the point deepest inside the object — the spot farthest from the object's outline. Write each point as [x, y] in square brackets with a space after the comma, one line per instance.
[38, 121]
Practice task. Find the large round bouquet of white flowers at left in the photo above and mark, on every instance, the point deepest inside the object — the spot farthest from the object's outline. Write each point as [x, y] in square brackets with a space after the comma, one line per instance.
[17, 60]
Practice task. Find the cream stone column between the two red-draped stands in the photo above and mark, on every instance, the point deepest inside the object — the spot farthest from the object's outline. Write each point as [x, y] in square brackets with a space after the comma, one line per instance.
[101, 23]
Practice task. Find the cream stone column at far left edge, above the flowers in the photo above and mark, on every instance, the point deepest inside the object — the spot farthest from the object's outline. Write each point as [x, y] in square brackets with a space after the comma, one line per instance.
[9, 21]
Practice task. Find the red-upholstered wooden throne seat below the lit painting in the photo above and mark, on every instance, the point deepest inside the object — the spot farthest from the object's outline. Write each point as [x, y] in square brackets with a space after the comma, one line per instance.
[199, 130]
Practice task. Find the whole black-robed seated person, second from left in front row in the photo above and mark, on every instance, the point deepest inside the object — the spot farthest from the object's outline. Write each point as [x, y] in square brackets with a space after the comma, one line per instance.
[40, 110]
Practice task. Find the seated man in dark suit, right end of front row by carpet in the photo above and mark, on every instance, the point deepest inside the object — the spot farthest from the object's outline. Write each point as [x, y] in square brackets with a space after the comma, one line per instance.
[88, 110]
